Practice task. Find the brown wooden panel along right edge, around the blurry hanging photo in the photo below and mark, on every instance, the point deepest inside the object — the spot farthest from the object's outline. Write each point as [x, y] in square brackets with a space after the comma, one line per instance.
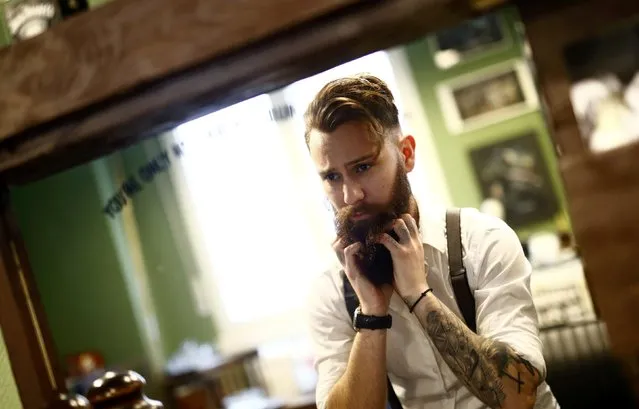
[602, 189]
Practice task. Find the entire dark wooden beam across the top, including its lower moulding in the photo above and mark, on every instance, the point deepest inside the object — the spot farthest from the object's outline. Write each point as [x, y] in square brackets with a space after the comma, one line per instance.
[217, 77]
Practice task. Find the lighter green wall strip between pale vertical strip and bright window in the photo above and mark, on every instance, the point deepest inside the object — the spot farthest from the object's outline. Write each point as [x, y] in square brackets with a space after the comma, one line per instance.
[169, 258]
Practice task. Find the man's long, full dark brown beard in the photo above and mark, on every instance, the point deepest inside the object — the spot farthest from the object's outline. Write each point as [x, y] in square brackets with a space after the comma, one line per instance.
[374, 260]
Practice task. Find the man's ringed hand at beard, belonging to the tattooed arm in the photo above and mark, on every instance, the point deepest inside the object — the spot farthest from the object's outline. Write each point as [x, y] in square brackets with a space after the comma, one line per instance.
[408, 259]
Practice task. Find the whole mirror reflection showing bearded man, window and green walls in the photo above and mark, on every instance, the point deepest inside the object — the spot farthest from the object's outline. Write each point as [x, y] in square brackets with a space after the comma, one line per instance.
[203, 258]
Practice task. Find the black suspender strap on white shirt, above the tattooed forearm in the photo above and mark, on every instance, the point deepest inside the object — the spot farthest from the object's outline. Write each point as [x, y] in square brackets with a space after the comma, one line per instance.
[458, 278]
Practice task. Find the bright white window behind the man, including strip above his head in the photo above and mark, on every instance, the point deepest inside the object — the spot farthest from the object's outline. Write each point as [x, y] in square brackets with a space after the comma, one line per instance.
[257, 199]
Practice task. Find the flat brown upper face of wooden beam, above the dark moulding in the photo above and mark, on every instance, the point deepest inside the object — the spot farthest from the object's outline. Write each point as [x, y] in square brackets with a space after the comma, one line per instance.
[124, 44]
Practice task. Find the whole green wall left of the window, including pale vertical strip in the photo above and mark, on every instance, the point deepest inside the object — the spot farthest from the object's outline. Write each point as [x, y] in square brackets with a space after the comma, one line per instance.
[115, 285]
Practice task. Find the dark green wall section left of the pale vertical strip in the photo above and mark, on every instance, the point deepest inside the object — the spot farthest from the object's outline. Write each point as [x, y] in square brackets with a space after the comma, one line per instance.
[76, 268]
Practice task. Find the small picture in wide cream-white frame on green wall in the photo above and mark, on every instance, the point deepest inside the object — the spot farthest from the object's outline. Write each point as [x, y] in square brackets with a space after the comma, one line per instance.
[487, 96]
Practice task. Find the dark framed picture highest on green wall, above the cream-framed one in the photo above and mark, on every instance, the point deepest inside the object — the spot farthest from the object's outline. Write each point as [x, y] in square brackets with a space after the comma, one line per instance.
[469, 40]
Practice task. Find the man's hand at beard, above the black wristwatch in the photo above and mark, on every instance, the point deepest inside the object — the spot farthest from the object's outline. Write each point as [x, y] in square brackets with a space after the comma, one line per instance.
[373, 300]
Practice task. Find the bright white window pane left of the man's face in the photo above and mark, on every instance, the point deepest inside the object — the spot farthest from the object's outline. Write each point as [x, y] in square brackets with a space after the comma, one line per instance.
[244, 196]
